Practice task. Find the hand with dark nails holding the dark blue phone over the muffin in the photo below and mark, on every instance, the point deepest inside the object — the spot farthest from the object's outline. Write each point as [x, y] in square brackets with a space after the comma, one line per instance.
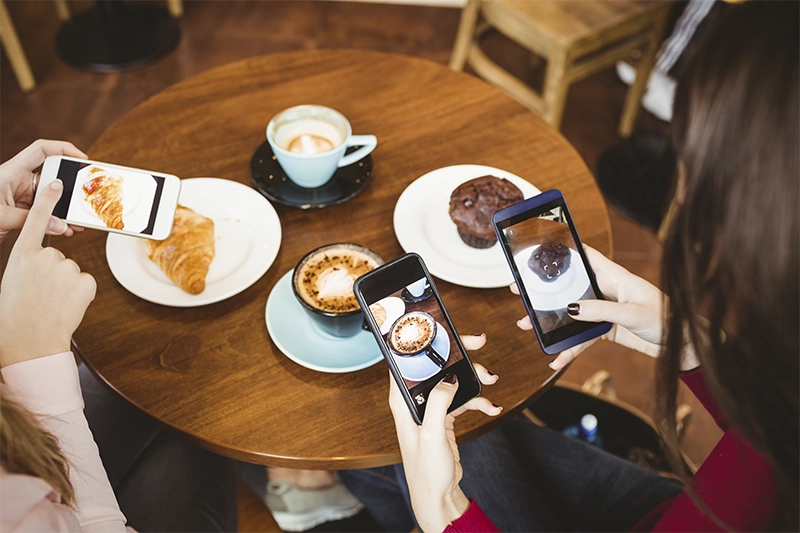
[634, 307]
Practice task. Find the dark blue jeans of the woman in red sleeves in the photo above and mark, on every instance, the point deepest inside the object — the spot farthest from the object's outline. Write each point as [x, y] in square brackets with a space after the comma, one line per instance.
[529, 479]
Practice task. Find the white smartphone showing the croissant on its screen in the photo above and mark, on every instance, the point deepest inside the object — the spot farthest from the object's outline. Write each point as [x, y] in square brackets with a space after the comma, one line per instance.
[113, 198]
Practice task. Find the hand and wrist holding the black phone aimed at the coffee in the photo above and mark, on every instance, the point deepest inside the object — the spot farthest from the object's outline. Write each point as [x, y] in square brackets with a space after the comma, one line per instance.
[430, 454]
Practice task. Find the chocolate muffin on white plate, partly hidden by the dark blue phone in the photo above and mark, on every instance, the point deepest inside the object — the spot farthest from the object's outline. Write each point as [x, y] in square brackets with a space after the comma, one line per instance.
[473, 203]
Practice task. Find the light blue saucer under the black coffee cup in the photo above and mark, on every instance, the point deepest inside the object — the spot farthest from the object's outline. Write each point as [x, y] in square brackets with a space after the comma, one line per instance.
[293, 333]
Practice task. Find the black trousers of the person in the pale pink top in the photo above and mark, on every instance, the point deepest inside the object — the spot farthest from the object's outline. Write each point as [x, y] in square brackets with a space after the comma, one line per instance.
[162, 483]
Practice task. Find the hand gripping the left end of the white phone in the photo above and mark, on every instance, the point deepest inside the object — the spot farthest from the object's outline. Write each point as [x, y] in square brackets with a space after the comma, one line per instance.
[16, 185]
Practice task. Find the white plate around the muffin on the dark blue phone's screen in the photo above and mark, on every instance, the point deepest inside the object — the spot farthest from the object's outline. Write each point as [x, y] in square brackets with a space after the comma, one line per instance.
[551, 296]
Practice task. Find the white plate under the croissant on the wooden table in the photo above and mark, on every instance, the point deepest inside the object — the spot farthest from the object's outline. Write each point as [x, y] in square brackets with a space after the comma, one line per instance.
[247, 235]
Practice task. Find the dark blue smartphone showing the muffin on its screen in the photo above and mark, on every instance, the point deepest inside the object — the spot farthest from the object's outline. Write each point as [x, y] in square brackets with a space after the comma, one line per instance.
[542, 247]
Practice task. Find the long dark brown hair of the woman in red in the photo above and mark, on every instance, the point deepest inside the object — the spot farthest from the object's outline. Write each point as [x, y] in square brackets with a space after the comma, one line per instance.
[731, 262]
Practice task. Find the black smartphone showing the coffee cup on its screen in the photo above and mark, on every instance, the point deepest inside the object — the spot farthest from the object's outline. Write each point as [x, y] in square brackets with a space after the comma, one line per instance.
[404, 311]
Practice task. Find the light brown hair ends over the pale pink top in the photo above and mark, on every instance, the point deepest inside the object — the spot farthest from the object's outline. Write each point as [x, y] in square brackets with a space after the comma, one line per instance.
[26, 448]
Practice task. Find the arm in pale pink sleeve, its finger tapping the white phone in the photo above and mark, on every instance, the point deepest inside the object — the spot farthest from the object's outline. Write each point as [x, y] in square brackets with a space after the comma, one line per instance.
[43, 297]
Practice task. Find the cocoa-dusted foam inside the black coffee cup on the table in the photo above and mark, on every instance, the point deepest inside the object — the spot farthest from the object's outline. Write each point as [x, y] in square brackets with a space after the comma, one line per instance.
[325, 280]
